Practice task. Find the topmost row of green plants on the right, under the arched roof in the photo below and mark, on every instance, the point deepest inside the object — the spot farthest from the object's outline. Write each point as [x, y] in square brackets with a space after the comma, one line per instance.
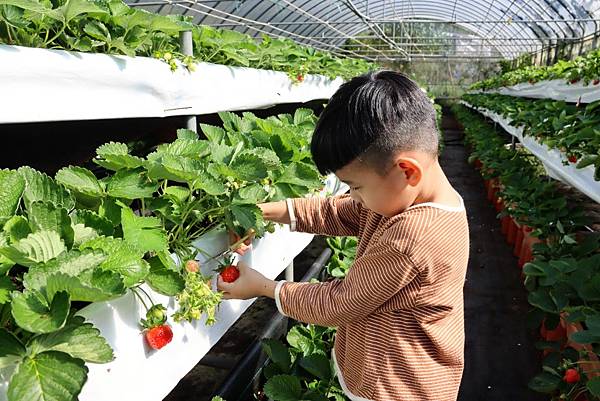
[584, 68]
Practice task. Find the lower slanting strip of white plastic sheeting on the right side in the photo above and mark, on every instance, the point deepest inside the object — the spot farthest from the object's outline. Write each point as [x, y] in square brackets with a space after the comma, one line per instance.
[552, 159]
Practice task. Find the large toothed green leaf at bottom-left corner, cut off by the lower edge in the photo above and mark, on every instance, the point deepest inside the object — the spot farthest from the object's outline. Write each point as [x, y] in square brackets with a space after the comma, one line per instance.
[50, 375]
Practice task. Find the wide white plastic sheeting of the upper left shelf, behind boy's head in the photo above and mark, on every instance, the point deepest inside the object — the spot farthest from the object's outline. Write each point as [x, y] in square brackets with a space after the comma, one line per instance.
[56, 85]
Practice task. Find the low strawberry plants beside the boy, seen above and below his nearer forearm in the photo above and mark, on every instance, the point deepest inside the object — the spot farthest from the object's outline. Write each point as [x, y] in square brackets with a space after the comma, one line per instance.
[303, 369]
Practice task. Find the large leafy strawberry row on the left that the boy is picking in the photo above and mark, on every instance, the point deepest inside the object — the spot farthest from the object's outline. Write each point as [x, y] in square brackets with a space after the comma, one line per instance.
[79, 238]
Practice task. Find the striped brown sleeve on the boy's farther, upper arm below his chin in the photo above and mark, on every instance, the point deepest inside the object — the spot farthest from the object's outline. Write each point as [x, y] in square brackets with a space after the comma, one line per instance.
[336, 215]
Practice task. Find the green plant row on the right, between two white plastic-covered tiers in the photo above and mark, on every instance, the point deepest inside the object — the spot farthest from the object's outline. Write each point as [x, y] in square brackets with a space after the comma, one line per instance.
[574, 129]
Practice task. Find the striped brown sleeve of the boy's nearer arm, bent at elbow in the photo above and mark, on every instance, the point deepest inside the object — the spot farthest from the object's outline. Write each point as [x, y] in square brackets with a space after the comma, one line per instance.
[372, 280]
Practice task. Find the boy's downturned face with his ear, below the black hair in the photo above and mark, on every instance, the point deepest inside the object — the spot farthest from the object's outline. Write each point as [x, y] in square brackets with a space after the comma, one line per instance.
[388, 192]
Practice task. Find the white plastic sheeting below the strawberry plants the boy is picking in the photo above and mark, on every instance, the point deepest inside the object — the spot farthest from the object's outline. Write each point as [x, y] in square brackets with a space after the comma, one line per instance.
[140, 373]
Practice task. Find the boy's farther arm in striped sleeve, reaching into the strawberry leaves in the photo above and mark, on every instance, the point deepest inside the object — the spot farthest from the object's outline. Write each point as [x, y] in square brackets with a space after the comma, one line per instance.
[337, 215]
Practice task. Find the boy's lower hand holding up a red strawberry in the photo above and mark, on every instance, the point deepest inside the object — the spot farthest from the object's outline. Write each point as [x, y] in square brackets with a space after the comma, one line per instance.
[250, 284]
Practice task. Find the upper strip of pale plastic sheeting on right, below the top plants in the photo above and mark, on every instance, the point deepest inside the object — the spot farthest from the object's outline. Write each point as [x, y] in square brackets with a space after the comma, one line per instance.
[557, 89]
